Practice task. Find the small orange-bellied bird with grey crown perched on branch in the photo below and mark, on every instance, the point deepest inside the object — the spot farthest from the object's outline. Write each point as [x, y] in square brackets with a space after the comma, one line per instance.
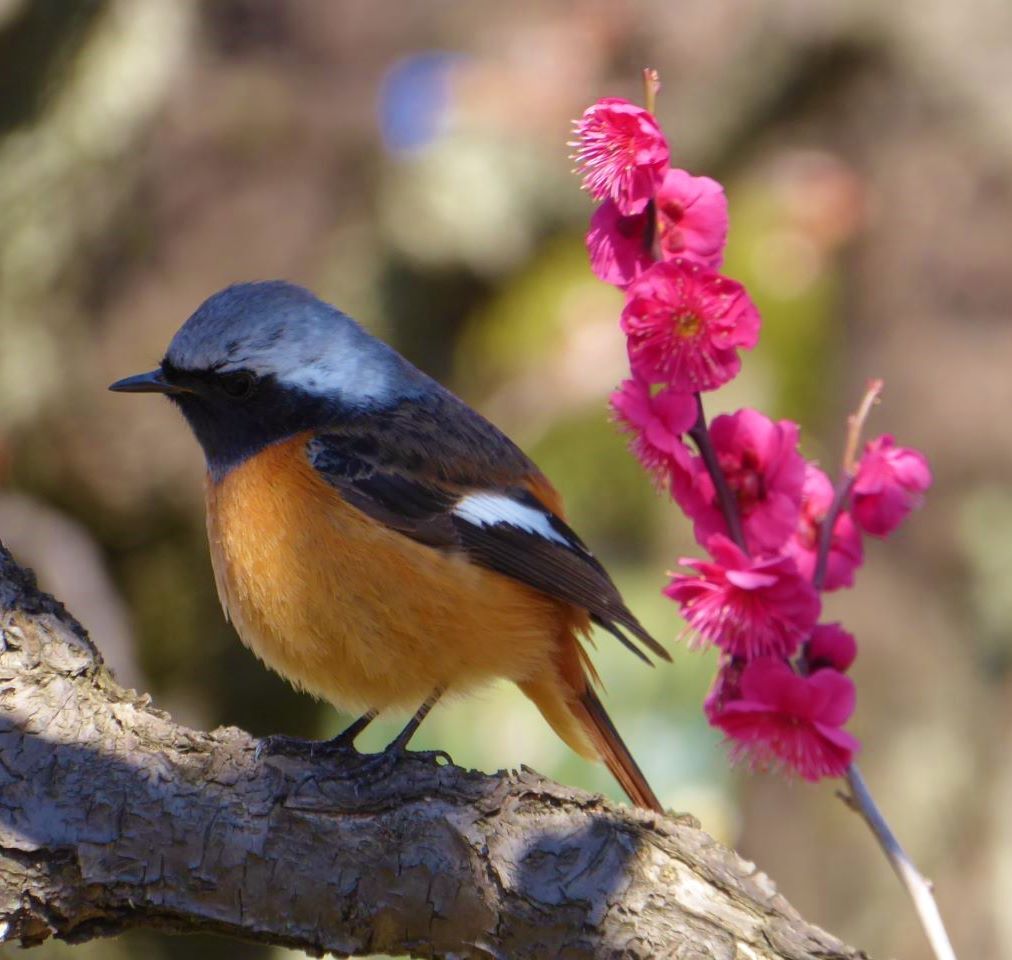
[377, 542]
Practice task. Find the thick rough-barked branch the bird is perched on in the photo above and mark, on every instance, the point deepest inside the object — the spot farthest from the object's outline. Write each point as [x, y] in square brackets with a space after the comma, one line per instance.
[112, 817]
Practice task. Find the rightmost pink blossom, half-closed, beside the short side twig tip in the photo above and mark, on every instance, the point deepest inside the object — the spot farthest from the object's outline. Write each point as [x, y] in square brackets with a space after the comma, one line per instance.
[891, 482]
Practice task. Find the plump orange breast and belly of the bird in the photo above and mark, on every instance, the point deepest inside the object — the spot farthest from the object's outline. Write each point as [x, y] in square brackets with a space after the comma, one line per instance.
[356, 613]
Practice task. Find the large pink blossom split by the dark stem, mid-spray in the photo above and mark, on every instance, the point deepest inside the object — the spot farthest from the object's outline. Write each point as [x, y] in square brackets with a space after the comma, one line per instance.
[760, 459]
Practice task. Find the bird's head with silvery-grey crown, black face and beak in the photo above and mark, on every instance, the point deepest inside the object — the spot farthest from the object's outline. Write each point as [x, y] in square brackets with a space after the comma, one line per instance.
[260, 363]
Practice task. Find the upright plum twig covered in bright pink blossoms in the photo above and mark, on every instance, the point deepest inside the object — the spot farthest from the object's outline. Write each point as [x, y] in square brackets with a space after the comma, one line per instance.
[778, 532]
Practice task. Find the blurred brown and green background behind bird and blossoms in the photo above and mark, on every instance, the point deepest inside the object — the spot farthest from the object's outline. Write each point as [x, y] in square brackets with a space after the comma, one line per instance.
[409, 163]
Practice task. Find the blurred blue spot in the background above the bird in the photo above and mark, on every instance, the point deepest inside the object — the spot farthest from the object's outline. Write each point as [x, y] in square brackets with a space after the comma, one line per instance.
[414, 100]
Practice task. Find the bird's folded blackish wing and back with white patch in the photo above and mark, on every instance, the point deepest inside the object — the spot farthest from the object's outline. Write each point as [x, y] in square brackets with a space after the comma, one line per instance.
[439, 473]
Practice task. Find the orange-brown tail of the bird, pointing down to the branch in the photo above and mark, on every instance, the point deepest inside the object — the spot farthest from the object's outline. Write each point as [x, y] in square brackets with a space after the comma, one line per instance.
[577, 716]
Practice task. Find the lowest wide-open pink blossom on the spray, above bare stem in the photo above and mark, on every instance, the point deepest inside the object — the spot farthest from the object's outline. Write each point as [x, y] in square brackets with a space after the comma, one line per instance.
[782, 718]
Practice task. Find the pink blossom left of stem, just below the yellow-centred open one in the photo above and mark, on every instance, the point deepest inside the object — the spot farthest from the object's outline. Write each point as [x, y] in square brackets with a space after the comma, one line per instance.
[656, 422]
